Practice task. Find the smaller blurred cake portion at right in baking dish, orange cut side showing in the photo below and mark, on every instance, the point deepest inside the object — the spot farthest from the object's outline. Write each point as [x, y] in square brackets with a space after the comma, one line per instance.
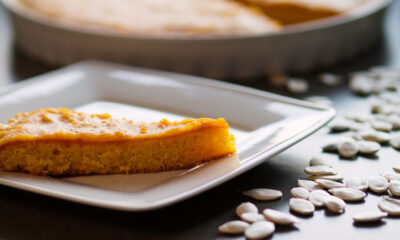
[297, 11]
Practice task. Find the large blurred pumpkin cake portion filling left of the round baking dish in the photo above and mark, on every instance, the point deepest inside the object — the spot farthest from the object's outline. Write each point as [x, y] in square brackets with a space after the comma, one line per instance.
[158, 17]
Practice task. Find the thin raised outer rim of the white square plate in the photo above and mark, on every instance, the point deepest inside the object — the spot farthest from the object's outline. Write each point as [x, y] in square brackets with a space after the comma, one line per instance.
[329, 114]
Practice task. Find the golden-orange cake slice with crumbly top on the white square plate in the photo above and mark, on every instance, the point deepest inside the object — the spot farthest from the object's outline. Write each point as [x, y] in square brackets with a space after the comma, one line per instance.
[65, 142]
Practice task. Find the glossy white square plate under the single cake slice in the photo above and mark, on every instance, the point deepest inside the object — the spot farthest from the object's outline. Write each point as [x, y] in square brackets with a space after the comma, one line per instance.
[264, 124]
